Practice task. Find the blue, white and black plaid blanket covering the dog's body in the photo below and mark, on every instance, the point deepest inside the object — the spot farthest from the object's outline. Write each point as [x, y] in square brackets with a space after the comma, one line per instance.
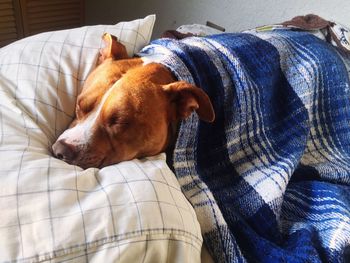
[270, 178]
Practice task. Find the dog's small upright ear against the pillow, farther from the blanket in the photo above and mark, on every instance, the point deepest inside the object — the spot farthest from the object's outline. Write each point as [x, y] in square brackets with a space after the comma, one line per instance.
[112, 49]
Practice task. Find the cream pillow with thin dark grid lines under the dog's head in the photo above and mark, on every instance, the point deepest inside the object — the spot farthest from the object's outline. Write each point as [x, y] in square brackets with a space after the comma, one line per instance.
[55, 212]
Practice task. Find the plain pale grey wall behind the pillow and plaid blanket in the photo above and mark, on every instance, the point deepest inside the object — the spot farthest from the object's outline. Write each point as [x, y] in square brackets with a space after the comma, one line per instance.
[234, 15]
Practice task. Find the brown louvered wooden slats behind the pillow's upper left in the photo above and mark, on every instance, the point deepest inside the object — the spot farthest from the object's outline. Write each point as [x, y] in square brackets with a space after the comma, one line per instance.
[20, 18]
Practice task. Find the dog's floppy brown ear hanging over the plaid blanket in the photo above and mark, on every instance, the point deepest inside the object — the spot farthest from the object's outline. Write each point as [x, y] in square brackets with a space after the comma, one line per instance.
[188, 98]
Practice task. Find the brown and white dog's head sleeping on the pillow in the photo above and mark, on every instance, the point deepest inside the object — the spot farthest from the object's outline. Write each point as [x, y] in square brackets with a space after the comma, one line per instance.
[126, 110]
